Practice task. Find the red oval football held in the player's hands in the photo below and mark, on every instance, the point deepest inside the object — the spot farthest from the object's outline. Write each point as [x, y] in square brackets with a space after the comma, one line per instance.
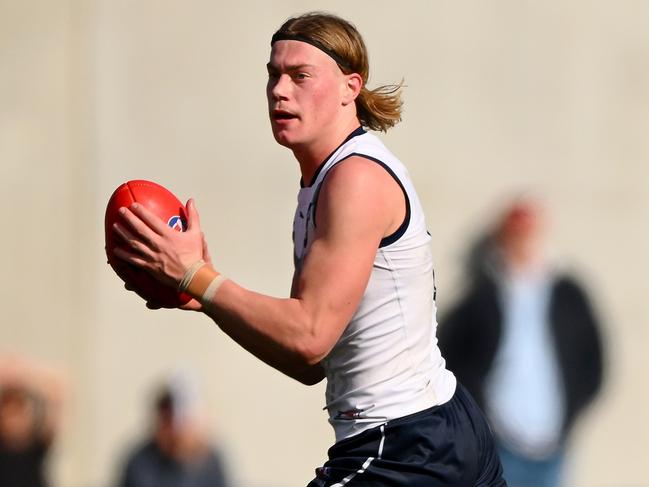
[170, 210]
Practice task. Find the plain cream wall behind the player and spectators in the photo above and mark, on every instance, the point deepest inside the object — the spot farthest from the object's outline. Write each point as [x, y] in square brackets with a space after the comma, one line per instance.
[502, 96]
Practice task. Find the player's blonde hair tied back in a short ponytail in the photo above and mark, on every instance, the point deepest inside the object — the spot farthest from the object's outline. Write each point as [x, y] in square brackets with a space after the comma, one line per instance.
[377, 109]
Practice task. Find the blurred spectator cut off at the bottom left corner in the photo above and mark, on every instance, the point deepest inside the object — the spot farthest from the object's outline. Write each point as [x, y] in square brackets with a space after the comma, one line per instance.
[31, 395]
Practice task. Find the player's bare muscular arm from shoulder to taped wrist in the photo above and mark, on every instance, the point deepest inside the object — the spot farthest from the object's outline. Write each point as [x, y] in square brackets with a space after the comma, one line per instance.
[358, 205]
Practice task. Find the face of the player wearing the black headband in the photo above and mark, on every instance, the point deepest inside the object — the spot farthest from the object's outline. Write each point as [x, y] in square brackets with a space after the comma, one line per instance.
[304, 93]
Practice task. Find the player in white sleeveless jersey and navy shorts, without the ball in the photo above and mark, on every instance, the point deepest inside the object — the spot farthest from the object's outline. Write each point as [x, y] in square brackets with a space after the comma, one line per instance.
[361, 311]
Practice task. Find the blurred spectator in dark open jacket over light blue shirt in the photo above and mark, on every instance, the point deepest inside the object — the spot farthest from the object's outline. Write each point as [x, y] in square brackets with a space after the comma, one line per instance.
[525, 341]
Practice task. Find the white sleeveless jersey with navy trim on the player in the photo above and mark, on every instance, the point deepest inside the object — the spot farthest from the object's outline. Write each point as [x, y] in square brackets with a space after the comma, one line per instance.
[386, 364]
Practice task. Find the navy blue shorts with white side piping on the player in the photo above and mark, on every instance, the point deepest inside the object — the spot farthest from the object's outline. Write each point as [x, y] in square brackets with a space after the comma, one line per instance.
[447, 445]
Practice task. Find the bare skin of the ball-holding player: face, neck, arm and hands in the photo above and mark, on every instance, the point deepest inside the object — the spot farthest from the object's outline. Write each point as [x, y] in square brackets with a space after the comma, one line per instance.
[312, 110]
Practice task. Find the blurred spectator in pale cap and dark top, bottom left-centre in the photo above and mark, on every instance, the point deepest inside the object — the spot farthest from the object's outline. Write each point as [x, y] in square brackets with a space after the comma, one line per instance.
[177, 453]
